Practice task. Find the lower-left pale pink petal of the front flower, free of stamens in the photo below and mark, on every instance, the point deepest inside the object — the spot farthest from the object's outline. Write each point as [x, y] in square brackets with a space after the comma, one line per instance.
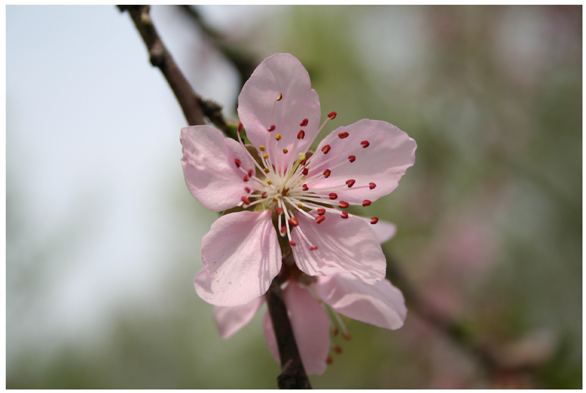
[241, 256]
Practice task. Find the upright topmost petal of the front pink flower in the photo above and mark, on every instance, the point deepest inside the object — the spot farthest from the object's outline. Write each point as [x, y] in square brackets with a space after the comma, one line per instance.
[280, 75]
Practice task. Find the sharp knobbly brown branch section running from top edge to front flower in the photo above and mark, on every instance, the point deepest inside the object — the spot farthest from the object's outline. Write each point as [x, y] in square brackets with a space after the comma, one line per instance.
[194, 107]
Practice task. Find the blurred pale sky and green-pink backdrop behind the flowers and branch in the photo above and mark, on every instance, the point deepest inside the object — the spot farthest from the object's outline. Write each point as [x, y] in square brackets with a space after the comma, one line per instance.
[103, 237]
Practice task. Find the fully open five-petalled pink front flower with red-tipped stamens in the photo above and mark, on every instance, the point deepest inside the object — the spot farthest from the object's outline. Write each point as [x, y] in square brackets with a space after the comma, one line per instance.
[304, 194]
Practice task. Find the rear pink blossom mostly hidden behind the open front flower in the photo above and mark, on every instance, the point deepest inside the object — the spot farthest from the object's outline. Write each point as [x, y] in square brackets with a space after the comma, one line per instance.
[380, 304]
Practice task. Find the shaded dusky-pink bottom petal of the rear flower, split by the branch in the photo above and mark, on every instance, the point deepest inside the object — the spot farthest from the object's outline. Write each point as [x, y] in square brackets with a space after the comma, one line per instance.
[311, 327]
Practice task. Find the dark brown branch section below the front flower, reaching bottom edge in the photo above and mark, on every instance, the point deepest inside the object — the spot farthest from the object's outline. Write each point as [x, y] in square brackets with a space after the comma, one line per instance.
[293, 374]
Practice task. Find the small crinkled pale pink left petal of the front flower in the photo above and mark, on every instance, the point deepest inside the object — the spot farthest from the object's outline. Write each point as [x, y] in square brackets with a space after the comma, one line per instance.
[209, 167]
